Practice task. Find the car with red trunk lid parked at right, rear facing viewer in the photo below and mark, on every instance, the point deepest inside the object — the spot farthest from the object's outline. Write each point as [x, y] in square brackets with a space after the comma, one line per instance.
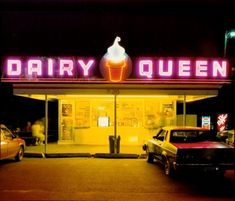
[178, 148]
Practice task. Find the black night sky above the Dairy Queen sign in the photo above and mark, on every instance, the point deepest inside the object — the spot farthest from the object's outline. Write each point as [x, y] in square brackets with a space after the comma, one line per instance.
[87, 28]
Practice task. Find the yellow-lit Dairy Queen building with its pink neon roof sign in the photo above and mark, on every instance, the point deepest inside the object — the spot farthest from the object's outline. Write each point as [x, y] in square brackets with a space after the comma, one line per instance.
[116, 95]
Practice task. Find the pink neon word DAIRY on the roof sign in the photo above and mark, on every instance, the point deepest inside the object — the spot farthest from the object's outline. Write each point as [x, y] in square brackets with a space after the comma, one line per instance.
[48, 67]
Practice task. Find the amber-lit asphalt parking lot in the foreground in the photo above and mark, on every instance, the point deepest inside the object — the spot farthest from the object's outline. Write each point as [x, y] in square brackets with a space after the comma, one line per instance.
[84, 179]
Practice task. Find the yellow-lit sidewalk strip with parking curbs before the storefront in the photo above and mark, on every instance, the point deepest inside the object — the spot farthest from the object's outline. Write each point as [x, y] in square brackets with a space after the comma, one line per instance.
[70, 150]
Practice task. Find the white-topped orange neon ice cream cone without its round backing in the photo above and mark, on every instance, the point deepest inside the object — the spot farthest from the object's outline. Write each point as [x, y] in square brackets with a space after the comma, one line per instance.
[116, 61]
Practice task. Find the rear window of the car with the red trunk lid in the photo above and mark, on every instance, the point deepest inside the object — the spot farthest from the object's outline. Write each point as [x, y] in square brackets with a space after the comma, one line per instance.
[192, 136]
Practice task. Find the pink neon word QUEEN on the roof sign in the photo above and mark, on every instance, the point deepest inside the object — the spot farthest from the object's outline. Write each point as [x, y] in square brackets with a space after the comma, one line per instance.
[182, 68]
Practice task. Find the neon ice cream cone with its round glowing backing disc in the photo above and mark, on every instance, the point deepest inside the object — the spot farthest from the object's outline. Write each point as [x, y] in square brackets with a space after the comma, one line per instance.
[115, 64]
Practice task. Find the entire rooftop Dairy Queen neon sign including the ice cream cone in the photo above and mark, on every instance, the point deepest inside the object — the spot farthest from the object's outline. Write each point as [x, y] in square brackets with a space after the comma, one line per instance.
[114, 66]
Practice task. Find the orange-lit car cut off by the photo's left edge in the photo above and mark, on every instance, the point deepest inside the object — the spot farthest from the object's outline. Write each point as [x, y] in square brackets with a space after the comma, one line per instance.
[11, 145]
